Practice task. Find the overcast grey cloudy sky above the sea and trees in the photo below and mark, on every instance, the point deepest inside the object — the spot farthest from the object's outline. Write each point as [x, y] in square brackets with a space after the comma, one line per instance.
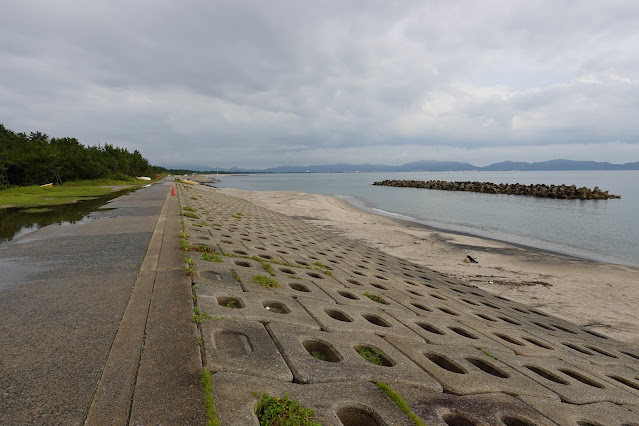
[265, 83]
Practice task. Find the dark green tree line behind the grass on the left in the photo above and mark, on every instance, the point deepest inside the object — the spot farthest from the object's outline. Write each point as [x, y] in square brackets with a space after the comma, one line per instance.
[36, 159]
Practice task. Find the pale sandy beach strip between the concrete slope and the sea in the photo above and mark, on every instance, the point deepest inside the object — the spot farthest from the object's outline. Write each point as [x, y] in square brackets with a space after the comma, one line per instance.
[603, 297]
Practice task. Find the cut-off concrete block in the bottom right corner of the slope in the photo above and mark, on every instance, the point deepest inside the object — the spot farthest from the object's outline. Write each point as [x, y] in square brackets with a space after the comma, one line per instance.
[600, 413]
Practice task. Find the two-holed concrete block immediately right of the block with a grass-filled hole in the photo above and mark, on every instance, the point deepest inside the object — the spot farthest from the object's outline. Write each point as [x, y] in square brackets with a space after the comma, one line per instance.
[465, 371]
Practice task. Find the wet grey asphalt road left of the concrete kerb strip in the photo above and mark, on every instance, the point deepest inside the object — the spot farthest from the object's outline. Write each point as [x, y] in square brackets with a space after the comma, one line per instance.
[63, 291]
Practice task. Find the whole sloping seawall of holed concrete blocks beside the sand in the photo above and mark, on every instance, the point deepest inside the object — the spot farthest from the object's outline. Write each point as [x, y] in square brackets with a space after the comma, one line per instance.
[456, 354]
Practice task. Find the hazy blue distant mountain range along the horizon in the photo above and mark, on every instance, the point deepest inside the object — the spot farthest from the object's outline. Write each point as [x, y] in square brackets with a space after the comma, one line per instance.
[439, 166]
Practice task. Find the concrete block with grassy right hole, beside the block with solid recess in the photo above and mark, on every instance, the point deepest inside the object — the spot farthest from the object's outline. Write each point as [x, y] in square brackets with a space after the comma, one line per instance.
[303, 349]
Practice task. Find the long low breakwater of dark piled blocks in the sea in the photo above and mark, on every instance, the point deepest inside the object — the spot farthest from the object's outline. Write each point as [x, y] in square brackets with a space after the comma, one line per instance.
[565, 192]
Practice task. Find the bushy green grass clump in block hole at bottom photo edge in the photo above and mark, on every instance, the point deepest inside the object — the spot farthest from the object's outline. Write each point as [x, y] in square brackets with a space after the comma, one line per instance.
[283, 412]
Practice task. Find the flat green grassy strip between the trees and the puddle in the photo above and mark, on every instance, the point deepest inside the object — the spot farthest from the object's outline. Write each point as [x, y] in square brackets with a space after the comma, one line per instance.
[29, 196]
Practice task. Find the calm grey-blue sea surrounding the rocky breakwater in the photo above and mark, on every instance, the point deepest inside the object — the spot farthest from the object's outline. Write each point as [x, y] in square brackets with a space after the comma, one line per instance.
[603, 230]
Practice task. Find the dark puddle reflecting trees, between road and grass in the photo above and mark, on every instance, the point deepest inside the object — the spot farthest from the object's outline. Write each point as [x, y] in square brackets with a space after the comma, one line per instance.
[18, 221]
